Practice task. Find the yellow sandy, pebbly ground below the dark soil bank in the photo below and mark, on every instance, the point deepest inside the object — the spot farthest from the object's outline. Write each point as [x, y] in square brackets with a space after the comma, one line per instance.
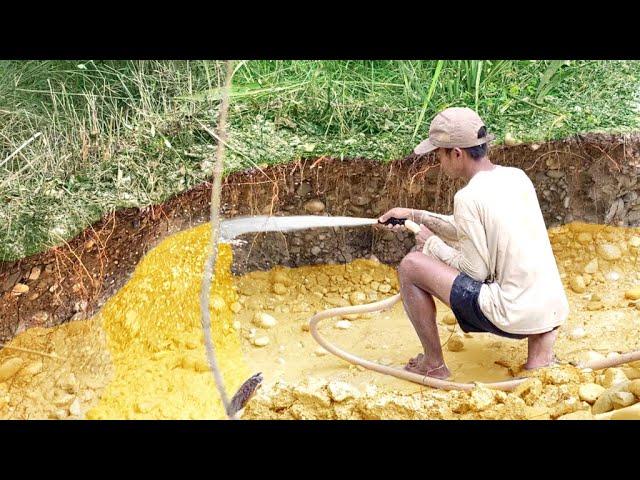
[142, 356]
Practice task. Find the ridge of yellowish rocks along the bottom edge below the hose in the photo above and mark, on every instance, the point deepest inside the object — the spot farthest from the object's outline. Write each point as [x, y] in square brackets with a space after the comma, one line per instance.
[563, 393]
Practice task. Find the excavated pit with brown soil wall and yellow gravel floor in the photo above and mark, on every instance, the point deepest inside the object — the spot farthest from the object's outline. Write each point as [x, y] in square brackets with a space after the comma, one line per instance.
[151, 364]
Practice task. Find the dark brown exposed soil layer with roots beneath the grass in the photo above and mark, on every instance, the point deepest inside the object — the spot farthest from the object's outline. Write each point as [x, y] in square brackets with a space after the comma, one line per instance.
[592, 179]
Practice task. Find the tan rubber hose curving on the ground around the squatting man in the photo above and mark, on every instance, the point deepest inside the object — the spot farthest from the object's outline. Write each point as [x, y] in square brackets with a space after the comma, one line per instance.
[386, 304]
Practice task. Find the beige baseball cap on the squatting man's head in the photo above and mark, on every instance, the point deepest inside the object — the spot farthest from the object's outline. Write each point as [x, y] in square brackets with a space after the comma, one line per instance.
[455, 127]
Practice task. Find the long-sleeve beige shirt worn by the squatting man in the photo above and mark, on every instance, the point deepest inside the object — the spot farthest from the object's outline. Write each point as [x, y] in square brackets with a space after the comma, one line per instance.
[503, 242]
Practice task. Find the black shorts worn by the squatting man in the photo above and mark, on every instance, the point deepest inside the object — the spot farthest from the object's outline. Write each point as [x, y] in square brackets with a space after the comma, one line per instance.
[464, 304]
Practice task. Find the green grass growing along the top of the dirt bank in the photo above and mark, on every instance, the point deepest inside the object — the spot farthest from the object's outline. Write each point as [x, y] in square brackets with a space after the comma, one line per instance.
[129, 133]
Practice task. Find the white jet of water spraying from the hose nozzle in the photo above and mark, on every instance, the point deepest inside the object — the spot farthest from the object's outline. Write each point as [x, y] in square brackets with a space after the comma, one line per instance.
[230, 229]
